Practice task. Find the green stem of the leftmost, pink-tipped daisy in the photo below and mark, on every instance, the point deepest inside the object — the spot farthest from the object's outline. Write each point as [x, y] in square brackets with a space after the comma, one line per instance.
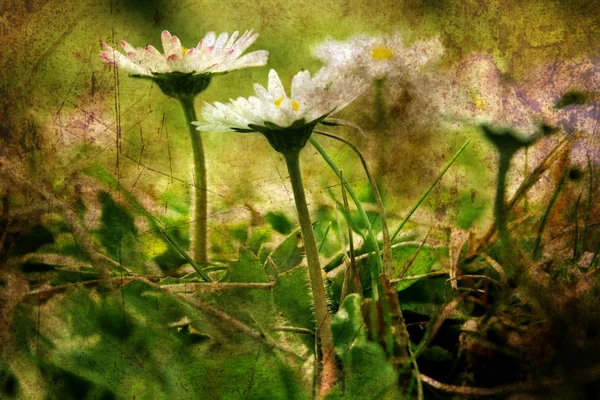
[199, 227]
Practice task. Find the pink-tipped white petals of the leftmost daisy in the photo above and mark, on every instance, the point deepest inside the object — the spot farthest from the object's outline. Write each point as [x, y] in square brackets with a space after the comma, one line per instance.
[213, 54]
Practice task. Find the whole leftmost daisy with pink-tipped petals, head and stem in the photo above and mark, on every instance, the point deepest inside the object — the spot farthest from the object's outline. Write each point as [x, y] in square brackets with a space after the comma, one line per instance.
[183, 73]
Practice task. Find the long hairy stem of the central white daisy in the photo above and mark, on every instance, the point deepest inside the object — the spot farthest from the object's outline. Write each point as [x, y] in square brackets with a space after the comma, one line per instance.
[314, 272]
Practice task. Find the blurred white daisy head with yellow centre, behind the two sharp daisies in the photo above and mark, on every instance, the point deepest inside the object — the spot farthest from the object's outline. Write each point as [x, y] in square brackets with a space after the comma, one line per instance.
[378, 57]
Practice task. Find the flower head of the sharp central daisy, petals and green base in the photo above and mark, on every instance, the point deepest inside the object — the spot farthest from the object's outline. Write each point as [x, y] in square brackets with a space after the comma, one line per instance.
[285, 120]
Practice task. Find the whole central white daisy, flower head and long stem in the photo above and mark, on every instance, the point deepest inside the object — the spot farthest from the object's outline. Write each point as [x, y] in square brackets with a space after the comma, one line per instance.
[287, 120]
